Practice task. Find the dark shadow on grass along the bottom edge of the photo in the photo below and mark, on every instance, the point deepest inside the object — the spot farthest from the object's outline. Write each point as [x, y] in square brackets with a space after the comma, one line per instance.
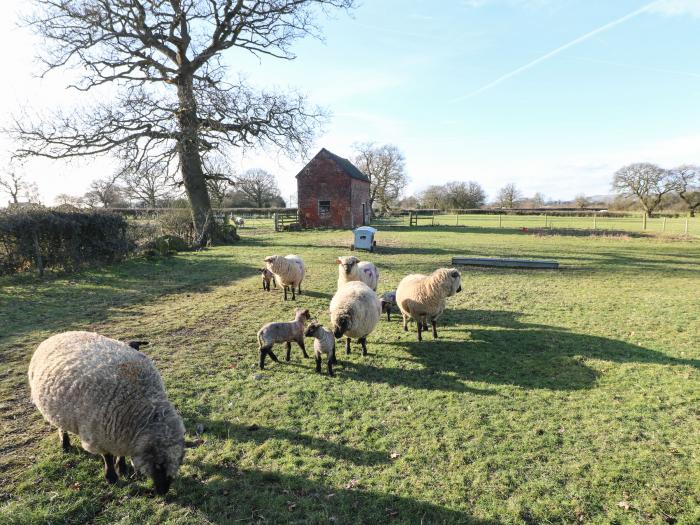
[231, 495]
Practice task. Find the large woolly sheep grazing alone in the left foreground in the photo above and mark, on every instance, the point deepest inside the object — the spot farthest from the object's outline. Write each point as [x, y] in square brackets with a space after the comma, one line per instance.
[113, 398]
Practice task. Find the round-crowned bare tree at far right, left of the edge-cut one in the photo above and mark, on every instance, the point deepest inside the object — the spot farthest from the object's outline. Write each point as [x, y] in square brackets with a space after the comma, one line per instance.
[647, 182]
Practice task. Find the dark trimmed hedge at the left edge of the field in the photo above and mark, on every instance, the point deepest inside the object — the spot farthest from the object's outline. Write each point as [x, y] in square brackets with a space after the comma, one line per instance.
[59, 239]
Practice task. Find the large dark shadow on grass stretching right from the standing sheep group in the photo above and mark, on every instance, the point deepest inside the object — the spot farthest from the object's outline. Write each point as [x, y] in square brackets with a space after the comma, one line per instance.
[508, 352]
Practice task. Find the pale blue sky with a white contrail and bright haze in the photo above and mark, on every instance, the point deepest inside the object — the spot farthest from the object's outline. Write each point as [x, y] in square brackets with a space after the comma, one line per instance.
[552, 95]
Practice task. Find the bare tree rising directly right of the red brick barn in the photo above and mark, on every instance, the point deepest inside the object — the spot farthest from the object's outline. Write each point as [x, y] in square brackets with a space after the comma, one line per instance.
[385, 167]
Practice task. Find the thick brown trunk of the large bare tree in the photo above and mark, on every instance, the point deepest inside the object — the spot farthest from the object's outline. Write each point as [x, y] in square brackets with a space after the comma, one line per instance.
[191, 162]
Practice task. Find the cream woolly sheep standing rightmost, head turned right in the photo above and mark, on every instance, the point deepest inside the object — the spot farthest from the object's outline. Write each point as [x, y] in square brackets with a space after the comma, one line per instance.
[422, 297]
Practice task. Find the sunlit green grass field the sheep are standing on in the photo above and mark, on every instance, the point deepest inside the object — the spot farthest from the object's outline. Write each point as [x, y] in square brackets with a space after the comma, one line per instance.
[569, 396]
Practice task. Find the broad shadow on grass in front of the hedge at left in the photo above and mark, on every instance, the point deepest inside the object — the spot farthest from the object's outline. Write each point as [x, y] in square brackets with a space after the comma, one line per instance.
[78, 300]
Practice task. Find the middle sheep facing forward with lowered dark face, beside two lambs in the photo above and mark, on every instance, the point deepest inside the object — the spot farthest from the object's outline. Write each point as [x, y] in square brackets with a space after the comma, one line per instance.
[355, 311]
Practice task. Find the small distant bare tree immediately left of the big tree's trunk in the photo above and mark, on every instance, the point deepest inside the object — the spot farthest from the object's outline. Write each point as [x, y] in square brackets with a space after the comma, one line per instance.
[148, 183]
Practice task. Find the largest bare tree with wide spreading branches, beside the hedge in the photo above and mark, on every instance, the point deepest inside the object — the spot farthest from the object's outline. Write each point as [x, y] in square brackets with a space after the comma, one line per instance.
[164, 58]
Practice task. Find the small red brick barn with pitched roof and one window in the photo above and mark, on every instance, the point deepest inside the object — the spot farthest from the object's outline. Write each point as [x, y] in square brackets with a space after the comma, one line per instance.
[332, 193]
